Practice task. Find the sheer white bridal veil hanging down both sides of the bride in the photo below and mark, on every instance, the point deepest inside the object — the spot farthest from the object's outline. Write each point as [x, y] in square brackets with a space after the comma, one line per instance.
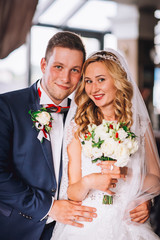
[143, 169]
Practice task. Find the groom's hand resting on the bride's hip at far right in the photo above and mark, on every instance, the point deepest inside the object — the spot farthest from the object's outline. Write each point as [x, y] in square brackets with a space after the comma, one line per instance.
[141, 213]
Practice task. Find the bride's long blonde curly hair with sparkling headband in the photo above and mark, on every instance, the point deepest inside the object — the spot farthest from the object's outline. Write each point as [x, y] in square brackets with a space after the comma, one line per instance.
[87, 111]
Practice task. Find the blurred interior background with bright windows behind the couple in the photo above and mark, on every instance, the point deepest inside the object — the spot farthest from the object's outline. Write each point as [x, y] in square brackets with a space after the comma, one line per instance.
[131, 26]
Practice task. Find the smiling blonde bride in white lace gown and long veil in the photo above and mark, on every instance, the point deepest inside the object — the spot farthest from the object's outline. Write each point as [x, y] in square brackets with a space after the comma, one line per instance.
[108, 93]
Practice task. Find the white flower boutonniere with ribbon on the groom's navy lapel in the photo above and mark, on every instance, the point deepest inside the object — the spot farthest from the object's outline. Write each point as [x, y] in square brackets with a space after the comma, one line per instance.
[42, 121]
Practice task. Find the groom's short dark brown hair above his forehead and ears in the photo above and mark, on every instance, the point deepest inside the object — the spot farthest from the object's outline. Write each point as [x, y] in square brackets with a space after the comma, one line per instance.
[65, 39]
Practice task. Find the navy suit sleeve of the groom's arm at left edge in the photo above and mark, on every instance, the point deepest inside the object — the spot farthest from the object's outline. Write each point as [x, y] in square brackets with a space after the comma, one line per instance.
[14, 192]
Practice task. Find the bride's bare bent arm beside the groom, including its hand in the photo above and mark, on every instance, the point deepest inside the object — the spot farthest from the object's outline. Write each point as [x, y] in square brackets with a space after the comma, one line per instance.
[79, 186]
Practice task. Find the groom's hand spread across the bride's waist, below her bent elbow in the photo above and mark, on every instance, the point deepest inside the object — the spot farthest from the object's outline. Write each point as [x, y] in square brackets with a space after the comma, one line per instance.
[69, 212]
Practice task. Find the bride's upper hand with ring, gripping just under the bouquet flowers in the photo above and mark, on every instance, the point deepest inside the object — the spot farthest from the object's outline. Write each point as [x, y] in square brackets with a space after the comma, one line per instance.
[110, 167]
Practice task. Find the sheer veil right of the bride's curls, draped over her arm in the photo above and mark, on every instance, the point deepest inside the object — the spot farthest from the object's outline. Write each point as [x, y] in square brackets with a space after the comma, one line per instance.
[144, 167]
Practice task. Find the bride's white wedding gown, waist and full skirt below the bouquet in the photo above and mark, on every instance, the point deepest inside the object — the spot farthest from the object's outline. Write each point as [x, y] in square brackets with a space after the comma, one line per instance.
[110, 223]
